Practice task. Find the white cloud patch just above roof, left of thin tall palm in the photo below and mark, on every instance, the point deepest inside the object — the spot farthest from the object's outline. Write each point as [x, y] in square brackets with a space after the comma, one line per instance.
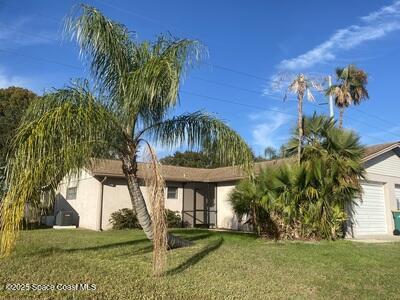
[266, 130]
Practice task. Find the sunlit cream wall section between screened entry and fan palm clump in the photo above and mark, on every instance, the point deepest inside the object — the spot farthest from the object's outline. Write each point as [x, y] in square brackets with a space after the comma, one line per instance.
[226, 218]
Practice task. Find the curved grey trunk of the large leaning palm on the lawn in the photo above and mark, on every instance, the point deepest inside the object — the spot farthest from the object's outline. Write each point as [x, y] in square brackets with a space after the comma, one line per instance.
[139, 205]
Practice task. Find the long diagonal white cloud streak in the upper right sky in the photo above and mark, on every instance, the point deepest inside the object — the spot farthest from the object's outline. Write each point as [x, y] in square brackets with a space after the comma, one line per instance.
[373, 26]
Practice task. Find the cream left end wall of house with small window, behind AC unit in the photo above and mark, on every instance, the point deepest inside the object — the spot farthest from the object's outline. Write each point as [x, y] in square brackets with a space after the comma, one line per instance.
[86, 206]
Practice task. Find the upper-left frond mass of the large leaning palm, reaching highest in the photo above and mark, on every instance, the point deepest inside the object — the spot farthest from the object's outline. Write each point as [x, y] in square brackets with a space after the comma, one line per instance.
[106, 45]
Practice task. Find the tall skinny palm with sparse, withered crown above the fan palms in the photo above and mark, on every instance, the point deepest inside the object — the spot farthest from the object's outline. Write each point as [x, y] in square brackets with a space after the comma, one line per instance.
[301, 86]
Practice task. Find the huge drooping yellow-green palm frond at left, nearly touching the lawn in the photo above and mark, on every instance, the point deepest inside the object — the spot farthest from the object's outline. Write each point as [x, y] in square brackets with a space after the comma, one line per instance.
[59, 134]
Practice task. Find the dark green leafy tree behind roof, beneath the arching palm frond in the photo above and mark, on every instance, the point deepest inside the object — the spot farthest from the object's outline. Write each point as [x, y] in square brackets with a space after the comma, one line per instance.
[191, 159]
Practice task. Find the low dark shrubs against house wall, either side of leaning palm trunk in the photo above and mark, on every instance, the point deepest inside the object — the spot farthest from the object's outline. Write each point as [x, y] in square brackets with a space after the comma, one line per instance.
[126, 219]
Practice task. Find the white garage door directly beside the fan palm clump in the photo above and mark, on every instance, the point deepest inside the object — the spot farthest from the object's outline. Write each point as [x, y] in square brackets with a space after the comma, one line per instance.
[370, 214]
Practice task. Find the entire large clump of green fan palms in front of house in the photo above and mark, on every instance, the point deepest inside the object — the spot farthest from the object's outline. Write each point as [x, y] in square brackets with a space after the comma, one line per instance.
[305, 200]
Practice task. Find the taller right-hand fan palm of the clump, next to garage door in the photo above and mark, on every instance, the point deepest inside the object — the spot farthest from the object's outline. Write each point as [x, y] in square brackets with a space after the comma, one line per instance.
[332, 163]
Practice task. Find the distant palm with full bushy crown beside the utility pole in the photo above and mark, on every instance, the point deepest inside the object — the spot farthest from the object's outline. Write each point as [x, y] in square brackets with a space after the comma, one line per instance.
[350, 88]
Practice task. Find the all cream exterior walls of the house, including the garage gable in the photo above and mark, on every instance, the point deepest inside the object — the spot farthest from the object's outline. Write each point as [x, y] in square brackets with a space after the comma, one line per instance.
[384, 169]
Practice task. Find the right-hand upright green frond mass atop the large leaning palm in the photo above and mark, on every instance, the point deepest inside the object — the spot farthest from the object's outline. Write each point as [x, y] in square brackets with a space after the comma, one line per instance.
[151, 89]
